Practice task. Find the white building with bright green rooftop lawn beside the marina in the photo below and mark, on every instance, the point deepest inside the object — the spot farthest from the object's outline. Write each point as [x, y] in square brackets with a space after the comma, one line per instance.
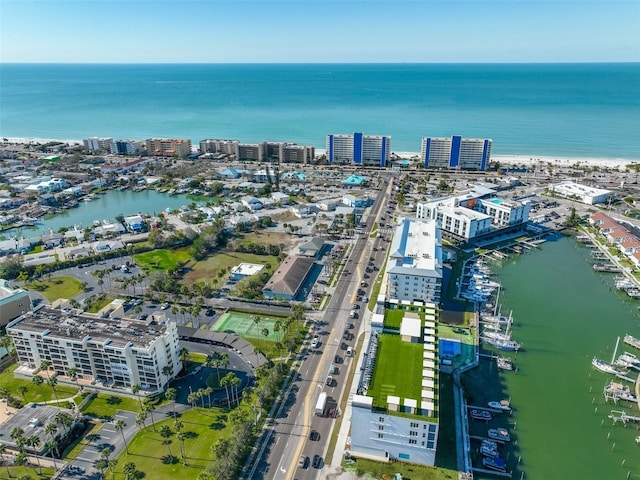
[395, 418]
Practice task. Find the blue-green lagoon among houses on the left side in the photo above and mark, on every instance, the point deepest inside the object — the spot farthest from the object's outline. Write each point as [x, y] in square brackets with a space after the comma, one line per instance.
[107, 207]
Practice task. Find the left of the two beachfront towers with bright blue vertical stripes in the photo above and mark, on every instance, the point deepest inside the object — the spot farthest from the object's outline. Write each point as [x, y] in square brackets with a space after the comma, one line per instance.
[359, 149]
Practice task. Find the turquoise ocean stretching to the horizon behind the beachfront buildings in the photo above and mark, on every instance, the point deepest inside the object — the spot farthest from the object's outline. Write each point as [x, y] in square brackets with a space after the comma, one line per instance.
[564, 110]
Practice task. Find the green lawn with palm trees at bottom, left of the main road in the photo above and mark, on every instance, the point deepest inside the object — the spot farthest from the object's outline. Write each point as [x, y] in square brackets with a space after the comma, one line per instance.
[202, 427]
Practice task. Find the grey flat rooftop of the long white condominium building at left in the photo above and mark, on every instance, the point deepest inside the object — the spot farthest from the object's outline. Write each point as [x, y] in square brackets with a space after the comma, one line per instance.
[75, 325]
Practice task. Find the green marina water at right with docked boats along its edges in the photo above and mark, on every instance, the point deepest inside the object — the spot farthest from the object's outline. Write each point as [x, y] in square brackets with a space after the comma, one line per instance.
[564, 314]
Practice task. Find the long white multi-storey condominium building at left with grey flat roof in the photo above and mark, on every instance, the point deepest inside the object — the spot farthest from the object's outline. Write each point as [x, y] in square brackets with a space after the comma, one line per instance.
[109, 352]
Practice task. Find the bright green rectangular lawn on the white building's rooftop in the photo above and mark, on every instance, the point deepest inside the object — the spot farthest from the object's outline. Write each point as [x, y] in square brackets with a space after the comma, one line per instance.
[397, 371]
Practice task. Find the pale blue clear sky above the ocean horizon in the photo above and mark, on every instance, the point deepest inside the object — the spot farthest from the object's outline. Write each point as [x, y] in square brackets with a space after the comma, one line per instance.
[134, 31]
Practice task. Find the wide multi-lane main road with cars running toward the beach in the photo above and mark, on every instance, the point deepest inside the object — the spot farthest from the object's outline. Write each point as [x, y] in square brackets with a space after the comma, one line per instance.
[291, 431]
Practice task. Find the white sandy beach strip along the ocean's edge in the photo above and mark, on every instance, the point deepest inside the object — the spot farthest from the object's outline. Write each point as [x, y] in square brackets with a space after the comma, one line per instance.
[538, 161]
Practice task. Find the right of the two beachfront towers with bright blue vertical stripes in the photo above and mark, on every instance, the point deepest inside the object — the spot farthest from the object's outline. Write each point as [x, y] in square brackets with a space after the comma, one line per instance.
[456, 152]
